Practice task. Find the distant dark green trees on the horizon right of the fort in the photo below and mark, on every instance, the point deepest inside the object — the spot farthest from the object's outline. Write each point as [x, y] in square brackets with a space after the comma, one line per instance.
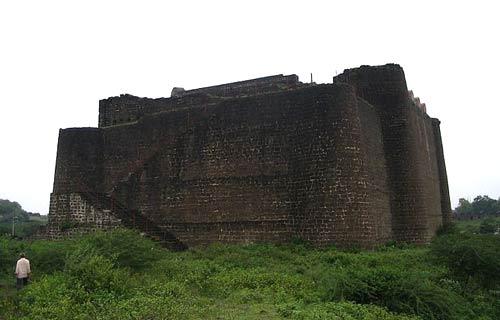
[481, 206]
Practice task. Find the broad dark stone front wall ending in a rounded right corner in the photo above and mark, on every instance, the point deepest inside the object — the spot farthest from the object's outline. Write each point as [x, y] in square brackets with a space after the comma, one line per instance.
[260, 168]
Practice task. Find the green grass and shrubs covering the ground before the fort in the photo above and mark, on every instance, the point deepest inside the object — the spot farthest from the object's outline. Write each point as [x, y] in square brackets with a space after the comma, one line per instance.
[121, 275]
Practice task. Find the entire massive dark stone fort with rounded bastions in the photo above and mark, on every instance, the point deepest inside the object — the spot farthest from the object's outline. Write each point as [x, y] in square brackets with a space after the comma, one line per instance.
[356, 162]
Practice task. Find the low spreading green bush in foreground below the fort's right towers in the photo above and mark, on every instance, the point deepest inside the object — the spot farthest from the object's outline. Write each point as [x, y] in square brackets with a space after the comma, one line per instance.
[398, 289]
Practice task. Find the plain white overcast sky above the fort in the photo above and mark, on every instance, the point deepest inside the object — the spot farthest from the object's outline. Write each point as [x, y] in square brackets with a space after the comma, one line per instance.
[58, 58]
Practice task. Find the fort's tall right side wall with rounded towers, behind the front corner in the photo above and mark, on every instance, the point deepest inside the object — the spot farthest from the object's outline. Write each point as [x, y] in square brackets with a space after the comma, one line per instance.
[410, 151]
